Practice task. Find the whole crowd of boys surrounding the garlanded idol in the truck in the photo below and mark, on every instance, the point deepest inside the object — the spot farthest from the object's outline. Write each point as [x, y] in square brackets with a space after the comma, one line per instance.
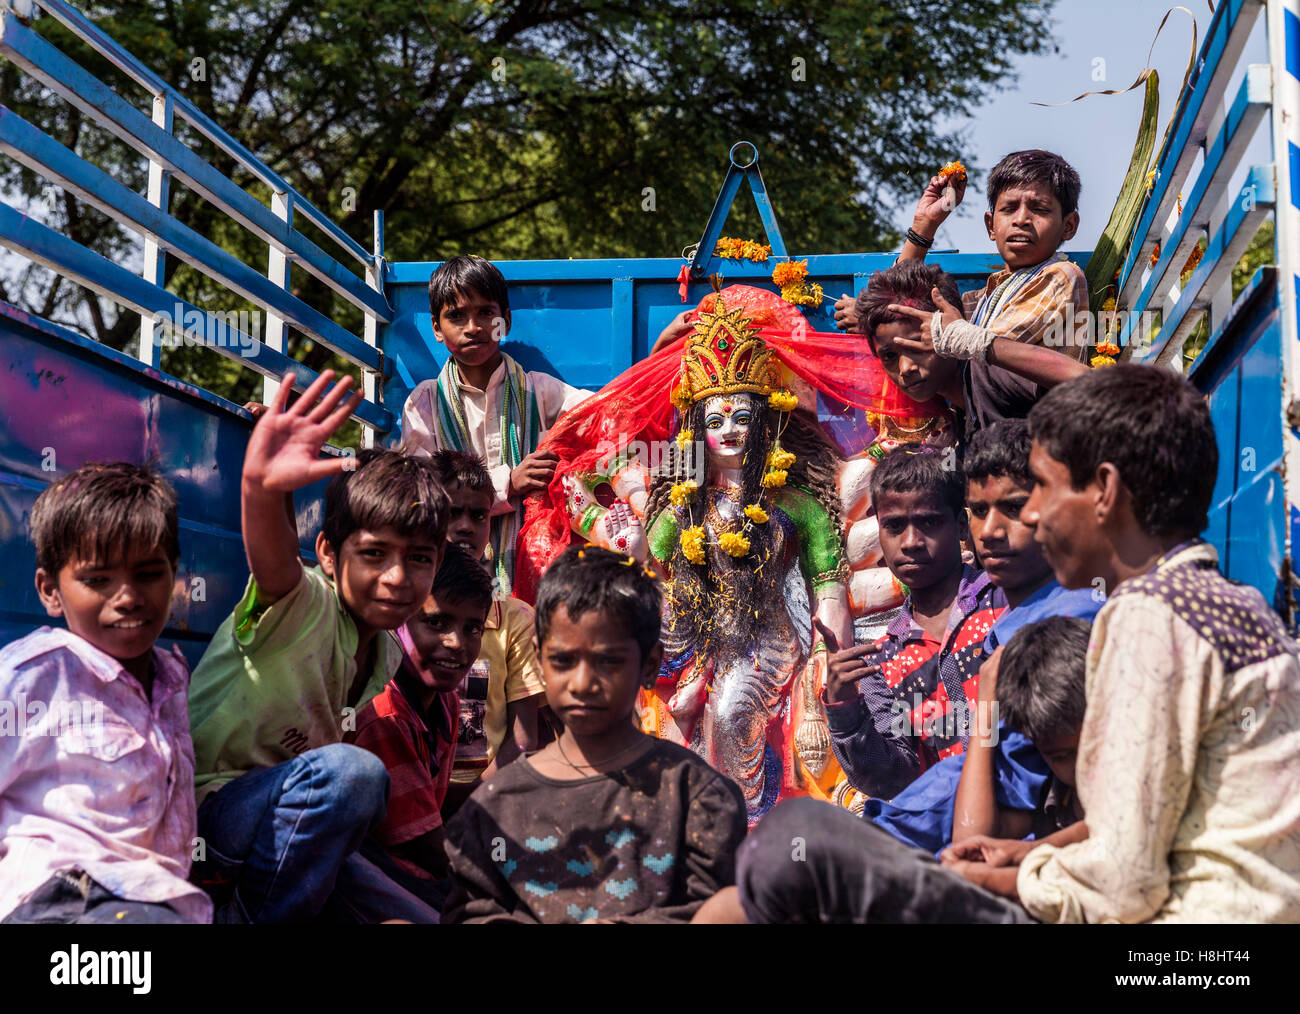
[1090, 723]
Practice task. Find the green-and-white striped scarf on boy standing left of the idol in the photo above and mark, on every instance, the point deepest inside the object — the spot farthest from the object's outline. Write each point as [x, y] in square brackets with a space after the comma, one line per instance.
[521, 428]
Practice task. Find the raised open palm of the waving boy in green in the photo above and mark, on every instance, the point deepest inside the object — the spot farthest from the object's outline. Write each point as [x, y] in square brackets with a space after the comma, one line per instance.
[284, 449]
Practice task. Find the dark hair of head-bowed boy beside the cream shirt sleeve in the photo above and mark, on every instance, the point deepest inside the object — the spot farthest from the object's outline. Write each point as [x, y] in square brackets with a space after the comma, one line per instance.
[1041, 678]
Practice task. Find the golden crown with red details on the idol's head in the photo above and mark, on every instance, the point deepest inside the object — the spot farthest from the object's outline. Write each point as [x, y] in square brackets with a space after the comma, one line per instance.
[725, 357]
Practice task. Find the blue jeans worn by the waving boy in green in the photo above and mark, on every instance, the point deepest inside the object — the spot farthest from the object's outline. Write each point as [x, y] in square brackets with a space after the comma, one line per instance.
[288, 838]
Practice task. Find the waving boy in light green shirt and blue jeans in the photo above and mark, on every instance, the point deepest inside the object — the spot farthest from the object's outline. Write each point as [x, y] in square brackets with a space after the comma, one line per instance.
[284, 804]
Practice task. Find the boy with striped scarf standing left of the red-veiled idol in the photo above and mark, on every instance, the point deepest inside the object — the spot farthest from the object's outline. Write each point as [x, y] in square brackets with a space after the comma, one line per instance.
[484, 402]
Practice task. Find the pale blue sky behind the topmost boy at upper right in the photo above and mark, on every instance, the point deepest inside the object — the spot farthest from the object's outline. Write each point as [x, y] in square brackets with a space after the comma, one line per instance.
[1095, 135]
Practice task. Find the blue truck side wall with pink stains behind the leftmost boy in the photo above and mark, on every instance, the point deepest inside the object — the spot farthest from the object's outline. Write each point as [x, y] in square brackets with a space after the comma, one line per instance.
[86, 405]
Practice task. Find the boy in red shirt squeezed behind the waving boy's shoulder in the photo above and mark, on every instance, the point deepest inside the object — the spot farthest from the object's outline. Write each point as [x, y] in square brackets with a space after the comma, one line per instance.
[411, 725]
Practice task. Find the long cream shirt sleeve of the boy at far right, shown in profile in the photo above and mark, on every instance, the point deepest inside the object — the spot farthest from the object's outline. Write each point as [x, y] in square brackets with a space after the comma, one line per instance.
[1137, 761]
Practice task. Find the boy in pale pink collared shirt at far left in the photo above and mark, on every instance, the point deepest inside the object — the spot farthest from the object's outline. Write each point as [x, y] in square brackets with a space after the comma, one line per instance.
[97, 765]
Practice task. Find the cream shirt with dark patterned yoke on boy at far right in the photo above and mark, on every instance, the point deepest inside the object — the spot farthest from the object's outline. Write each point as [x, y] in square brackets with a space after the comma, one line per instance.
[1189, 760]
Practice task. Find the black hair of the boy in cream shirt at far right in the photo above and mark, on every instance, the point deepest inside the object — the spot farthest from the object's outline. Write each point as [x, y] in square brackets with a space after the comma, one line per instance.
[1152, 426]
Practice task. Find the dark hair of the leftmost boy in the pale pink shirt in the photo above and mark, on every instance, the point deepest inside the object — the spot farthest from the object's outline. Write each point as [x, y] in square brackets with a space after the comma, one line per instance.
[102, 510]
